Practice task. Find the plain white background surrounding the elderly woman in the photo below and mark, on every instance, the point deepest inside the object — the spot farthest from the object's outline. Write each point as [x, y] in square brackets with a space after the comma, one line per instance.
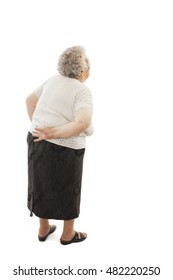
[126, 206]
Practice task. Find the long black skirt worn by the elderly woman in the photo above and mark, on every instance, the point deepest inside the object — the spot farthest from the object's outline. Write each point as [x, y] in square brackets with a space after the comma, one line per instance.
[54, 180]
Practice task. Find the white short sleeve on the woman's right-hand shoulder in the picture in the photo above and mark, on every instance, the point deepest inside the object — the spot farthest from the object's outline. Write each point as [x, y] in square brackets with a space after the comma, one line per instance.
[84, 100]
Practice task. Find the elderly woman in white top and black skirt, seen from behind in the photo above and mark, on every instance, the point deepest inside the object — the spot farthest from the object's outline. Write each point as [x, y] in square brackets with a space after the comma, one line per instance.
[60, 111]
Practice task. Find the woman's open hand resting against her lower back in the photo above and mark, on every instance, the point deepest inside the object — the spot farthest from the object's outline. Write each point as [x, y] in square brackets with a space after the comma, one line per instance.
[44, 133]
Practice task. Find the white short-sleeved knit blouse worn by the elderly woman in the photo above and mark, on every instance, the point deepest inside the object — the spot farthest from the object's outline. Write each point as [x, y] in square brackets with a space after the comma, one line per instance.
[60, 98]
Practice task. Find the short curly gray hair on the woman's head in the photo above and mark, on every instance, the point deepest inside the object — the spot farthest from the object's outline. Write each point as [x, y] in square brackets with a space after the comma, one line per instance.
[71, 62]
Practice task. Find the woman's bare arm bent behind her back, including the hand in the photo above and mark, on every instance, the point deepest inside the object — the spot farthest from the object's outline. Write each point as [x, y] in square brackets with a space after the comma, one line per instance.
[80, 124]
